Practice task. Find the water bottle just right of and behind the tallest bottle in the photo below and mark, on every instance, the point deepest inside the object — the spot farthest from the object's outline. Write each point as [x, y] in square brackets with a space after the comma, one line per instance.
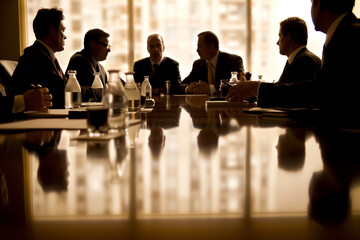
[132, 92]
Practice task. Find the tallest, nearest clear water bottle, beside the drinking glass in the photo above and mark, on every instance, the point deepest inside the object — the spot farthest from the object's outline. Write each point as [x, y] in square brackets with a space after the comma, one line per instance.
[116, 101]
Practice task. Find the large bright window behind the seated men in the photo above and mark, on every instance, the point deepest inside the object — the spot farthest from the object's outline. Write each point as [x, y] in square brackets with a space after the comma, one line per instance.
[179, 22]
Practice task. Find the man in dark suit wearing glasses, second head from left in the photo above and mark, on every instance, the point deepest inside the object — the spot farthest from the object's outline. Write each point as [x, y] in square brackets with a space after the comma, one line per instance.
[86, 63]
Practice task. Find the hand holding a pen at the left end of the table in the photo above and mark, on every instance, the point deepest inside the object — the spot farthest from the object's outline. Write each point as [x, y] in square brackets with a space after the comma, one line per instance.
[37, 99]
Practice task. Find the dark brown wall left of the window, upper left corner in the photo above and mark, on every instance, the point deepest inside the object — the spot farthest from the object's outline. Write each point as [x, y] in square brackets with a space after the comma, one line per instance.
[9, 30]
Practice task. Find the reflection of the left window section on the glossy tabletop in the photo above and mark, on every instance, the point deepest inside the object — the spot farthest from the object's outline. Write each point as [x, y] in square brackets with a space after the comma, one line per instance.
[79, 180]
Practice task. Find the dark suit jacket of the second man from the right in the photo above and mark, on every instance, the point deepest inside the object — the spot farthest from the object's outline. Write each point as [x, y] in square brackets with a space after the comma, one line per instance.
[304, 67]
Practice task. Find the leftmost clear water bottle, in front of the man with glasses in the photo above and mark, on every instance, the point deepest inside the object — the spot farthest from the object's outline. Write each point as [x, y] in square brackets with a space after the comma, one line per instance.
[72, 91]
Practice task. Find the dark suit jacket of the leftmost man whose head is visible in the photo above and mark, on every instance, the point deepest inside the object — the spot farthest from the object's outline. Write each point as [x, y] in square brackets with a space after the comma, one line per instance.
[35, 66]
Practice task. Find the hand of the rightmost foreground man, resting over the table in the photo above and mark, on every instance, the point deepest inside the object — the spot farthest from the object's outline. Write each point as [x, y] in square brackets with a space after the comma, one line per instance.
[243, 91]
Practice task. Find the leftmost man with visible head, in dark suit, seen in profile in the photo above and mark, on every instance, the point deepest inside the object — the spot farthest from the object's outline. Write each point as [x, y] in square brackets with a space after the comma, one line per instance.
[38, 64]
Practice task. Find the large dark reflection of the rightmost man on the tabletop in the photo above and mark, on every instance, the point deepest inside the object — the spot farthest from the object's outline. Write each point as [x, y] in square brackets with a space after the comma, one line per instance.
[329, 190]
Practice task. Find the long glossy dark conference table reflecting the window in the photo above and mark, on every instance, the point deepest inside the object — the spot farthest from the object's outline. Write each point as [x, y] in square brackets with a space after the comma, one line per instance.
[183, 170]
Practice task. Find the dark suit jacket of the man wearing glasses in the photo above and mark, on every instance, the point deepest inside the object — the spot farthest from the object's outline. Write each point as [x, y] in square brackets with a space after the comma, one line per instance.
[85, 68]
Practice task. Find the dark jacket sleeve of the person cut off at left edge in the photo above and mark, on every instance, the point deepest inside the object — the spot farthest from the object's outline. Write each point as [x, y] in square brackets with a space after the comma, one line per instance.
[6, 102]
